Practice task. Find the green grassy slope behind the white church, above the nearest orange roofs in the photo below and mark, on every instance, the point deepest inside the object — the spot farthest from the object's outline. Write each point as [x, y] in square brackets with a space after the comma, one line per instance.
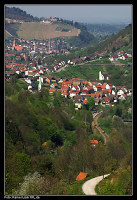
[119, 75]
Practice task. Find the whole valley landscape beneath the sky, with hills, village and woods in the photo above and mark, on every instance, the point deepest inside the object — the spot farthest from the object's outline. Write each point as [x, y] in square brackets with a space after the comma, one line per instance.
[67, 97]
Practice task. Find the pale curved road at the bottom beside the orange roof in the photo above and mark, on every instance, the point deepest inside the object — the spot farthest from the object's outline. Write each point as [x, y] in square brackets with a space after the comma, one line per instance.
[89, 186]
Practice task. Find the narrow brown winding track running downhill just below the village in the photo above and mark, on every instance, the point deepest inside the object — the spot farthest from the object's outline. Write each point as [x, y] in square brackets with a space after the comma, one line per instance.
[97, 129]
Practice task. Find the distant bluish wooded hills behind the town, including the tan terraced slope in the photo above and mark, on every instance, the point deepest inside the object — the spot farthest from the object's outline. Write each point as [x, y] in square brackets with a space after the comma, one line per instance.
[75, 33]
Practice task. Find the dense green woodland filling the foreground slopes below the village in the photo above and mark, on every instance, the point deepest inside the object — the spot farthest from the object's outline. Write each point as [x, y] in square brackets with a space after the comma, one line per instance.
[47, 143]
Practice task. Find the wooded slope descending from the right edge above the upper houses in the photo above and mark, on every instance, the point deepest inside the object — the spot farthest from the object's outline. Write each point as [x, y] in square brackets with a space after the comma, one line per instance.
[120, 41]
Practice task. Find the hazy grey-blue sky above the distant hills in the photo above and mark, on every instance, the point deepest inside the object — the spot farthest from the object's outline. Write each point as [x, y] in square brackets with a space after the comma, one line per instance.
[91, 13]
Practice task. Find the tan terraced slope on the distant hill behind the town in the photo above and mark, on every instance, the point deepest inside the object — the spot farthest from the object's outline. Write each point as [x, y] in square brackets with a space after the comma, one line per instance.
[36, 30]
